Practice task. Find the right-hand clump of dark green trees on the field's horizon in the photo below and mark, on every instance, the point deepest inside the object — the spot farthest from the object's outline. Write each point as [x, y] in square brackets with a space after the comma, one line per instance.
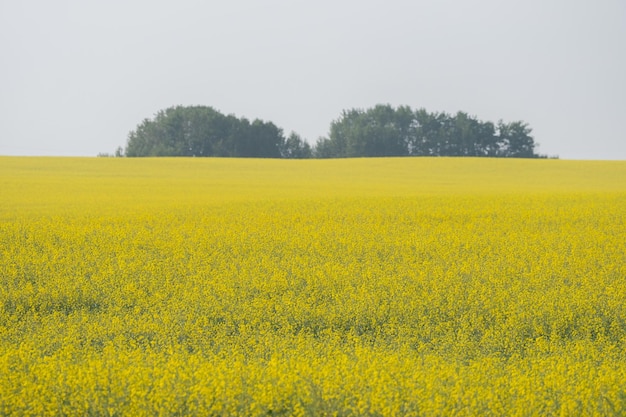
[387, 131]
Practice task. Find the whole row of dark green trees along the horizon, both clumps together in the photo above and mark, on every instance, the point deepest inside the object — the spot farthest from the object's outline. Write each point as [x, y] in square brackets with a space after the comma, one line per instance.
[382, 130]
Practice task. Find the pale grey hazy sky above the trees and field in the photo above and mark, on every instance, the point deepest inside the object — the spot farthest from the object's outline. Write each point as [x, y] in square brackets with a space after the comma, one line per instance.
[77, 75]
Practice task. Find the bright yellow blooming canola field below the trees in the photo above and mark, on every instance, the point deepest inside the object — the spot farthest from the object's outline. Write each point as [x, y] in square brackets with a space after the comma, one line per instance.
[390, 287]
